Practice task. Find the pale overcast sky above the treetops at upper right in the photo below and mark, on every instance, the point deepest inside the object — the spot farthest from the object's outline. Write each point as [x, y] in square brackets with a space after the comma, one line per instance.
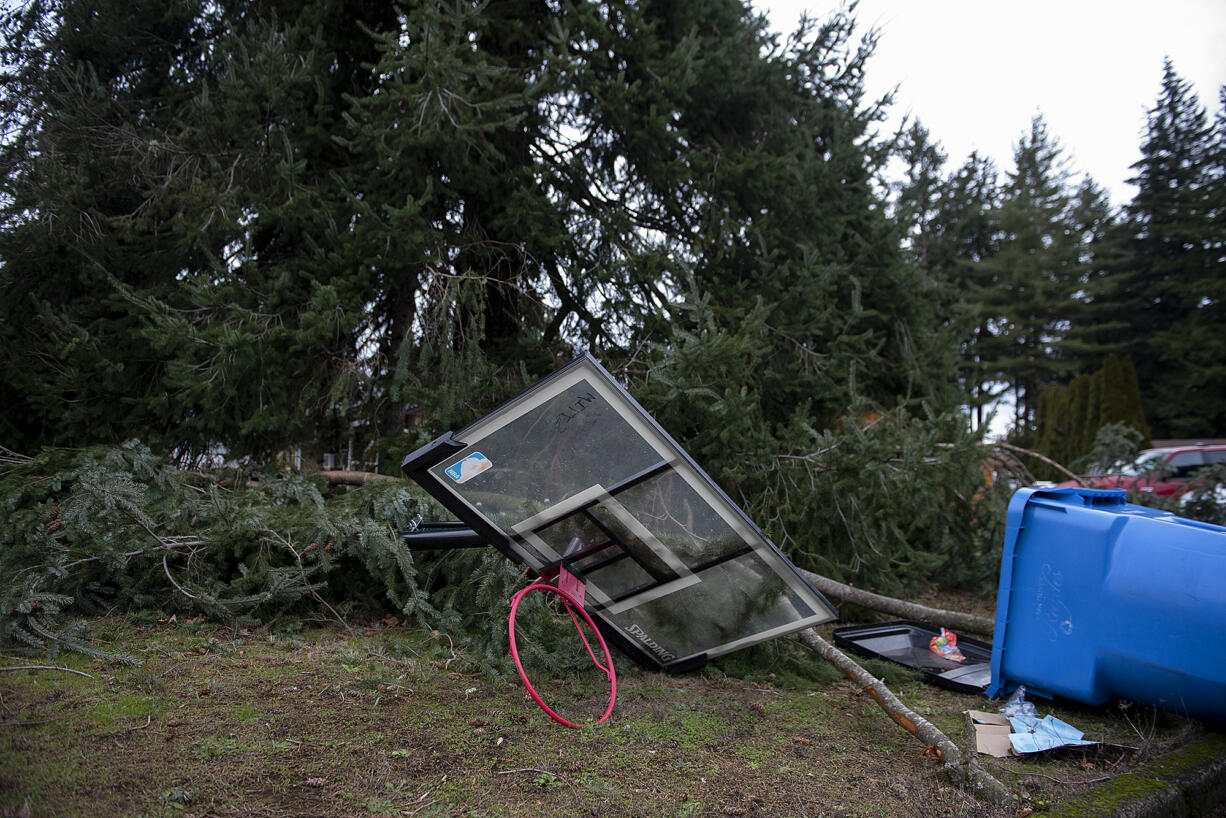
[977, 72]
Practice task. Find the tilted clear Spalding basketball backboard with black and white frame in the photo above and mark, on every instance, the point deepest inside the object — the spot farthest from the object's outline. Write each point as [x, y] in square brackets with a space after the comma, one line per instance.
[576, 472]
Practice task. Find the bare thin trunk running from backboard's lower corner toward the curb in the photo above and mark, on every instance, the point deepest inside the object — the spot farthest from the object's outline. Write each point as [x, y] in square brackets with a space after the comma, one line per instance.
[964, 770]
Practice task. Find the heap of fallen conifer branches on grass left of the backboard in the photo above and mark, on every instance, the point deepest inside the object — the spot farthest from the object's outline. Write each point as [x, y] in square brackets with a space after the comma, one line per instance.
[118, 529]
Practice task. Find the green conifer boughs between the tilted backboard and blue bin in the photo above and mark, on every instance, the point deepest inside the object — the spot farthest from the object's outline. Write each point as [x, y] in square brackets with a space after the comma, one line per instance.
[892, 499]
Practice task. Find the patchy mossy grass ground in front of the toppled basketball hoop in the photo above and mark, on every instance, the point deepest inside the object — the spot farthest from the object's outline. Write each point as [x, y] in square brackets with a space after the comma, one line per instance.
[383, 721]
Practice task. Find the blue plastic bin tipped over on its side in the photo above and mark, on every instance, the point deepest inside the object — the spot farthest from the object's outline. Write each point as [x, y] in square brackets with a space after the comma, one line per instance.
[1104, 600]
